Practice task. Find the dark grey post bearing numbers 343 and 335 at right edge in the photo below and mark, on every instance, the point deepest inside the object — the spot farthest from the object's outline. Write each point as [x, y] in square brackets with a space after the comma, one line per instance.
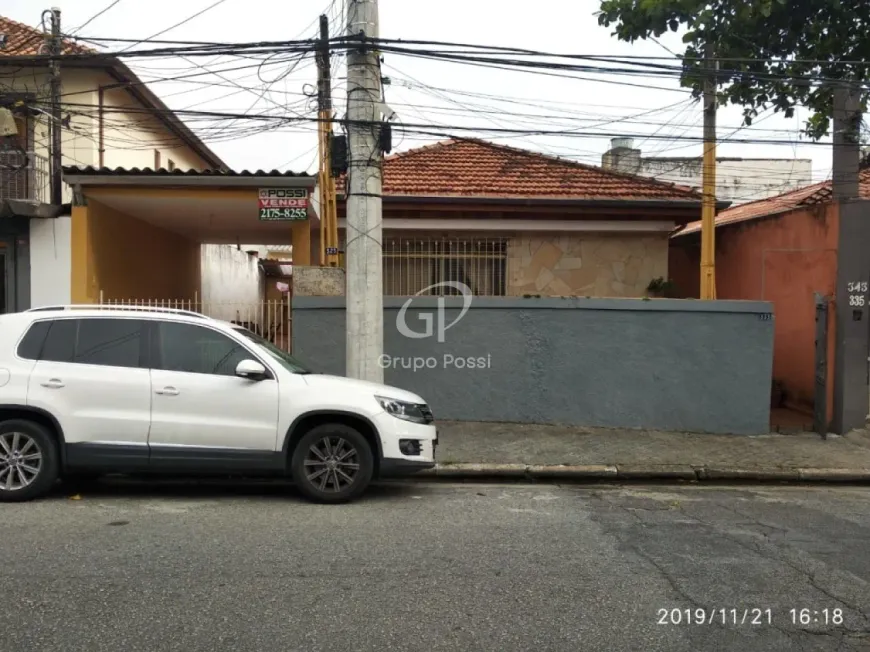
[851, 403]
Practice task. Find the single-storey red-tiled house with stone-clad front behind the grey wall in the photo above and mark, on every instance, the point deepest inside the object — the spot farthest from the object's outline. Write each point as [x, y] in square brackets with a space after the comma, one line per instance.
[511, 222]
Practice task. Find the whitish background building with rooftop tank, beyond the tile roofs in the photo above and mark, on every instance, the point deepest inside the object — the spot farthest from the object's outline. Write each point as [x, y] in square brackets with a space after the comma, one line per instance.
[738, 180]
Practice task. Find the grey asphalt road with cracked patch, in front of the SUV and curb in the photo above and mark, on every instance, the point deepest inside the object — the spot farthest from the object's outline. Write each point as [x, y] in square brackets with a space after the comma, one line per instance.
[437, 567]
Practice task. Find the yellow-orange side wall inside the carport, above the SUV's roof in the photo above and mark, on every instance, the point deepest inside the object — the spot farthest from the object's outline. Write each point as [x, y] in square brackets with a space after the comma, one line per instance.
[127, 258]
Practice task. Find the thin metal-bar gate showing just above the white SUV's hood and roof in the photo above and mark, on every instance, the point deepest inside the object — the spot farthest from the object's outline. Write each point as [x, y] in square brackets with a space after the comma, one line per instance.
[270, 319]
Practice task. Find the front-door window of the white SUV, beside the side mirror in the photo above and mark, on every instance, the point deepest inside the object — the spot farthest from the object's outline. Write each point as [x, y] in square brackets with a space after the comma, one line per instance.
[194, 349]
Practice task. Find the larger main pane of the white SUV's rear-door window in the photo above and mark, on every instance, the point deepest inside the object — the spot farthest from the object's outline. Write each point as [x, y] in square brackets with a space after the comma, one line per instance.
[109, 342]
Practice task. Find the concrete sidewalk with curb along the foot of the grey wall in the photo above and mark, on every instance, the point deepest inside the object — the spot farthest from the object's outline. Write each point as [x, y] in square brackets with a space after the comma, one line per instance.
[476, 450]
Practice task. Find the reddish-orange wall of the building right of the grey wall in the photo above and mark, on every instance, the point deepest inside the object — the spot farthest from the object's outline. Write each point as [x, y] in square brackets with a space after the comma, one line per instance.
[784, 260]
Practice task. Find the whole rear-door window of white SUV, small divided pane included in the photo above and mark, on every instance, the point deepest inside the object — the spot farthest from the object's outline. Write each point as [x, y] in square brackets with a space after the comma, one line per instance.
[99, 341]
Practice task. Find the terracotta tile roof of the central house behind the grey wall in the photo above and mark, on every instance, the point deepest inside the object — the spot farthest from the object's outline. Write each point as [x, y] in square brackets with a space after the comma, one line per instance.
[477, 168]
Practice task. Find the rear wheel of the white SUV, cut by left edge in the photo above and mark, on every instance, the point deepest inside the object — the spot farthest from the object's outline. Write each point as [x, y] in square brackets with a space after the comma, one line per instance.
[28, 460]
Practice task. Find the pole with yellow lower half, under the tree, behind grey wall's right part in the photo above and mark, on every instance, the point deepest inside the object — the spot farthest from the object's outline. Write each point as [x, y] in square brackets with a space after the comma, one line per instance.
[708, 209]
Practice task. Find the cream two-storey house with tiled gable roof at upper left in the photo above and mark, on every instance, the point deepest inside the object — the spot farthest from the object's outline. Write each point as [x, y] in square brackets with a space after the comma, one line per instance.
[110, 117]
